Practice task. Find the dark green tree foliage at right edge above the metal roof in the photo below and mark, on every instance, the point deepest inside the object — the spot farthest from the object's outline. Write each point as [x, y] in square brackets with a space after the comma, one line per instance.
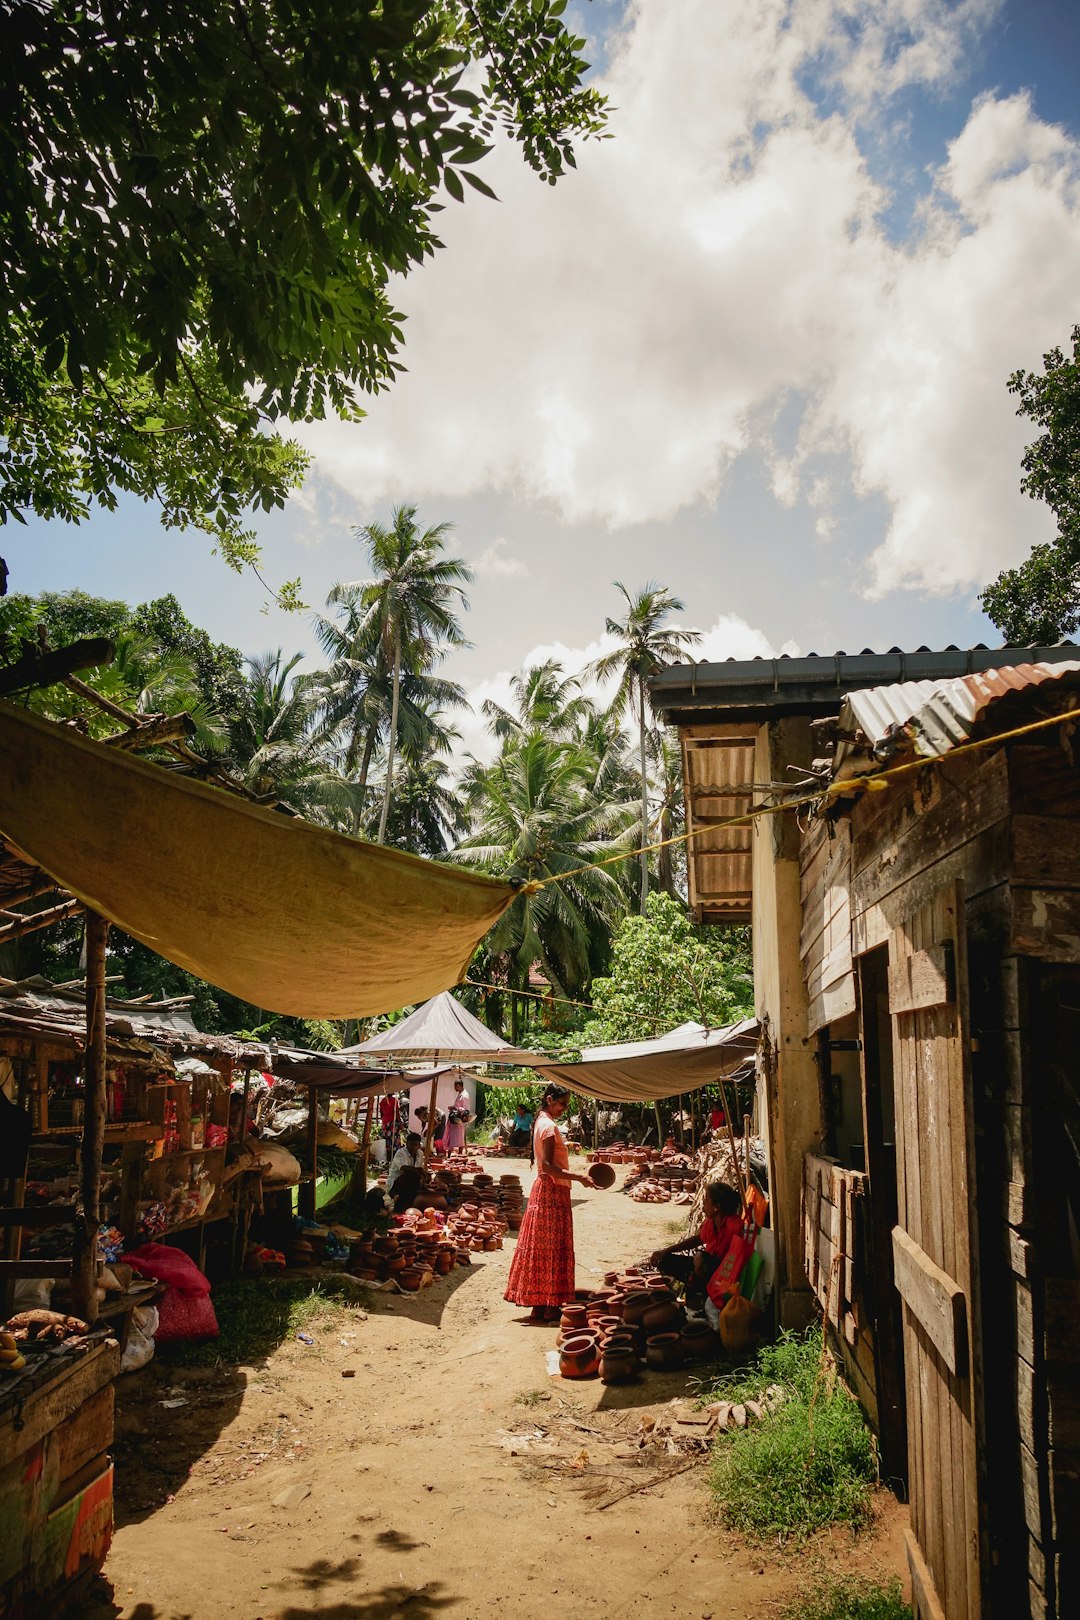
[1040, 600]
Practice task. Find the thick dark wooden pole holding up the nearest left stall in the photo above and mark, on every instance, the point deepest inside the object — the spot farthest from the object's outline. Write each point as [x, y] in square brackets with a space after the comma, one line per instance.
[88, 1217]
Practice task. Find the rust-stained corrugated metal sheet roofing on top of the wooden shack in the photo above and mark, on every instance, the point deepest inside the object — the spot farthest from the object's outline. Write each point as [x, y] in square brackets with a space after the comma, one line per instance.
[933, 717]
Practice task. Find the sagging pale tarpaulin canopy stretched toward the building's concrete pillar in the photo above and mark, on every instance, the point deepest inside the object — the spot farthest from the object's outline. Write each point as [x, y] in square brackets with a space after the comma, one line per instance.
[648, 1070]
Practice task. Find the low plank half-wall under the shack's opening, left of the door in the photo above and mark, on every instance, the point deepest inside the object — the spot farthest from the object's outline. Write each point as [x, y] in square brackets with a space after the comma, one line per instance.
[835, 1255]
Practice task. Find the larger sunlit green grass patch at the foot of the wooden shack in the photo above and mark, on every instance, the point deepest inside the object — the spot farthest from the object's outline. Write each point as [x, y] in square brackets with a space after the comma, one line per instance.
[809, 1464]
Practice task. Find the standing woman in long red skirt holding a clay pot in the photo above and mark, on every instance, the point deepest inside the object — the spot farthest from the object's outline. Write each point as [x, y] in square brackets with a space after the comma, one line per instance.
[542, 1274]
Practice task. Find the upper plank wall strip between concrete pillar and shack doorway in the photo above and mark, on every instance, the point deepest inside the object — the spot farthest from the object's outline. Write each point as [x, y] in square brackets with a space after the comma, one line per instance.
[825, 942]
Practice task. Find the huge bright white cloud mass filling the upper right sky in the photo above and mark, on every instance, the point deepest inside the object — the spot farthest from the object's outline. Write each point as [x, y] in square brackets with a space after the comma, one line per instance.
[614, 344]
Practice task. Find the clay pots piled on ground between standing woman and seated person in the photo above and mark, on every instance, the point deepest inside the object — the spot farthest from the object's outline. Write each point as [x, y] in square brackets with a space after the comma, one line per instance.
[636, 1319]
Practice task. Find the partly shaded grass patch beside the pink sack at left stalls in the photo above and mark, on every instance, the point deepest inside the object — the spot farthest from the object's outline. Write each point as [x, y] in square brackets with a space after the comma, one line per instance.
[258, 1315]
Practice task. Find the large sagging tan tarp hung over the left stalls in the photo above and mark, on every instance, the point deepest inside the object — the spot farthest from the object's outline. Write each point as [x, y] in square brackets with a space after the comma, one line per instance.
[287, 916]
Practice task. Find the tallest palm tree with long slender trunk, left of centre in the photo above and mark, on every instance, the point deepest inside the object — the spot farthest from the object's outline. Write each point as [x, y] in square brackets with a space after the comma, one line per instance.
[407, 610]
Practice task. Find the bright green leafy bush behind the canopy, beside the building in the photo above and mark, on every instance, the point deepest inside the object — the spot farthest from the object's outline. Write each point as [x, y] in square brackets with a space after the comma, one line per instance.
[666, 971]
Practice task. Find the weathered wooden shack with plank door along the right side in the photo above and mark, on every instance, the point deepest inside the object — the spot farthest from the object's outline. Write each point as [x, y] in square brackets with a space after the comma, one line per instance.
[921, 1000]
